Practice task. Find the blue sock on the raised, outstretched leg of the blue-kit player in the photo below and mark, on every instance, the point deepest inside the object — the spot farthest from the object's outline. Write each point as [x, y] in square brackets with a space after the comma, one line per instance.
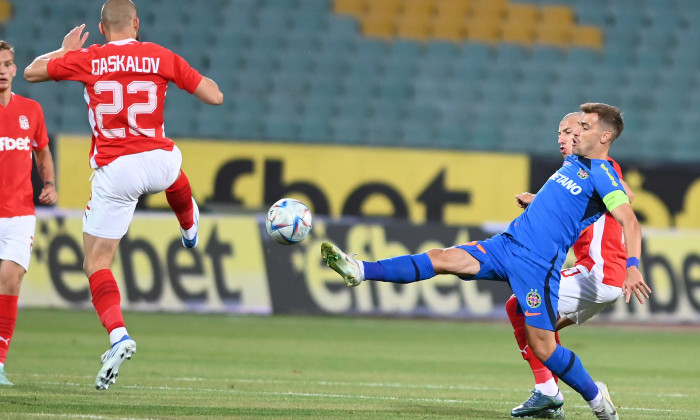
[403, 269]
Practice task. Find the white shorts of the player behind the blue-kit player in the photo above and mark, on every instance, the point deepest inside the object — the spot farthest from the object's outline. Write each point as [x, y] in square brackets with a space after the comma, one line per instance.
[582, 296]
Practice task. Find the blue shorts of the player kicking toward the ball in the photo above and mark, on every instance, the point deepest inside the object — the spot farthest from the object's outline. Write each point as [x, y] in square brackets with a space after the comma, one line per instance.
[533, 280]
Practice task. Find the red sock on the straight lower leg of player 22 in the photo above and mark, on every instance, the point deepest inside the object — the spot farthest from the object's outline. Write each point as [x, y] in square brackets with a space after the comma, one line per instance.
[106, 299]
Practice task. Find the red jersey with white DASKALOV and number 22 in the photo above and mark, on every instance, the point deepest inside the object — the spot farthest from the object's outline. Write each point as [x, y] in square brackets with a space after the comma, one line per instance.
[125, 83]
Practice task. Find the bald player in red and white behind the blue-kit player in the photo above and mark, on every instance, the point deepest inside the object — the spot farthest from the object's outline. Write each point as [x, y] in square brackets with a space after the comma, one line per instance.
[592, 284]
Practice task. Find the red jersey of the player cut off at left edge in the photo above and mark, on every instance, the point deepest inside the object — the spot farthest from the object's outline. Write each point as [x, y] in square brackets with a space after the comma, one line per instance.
[22, 130]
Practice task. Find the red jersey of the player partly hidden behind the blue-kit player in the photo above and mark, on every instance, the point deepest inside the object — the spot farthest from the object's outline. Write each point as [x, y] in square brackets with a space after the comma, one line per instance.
[601, 248]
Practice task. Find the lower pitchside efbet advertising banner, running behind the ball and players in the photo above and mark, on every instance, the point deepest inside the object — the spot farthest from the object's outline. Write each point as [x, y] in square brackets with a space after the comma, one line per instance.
[237, 268]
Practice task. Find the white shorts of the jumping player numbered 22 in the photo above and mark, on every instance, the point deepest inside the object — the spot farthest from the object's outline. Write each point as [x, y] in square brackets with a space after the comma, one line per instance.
[116, 188]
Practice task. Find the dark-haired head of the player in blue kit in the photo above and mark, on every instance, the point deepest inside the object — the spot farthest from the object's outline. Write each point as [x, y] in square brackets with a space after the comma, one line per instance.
[598, 126]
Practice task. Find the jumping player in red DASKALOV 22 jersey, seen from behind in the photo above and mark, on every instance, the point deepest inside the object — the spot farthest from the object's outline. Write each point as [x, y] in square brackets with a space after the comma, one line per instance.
[125, 83]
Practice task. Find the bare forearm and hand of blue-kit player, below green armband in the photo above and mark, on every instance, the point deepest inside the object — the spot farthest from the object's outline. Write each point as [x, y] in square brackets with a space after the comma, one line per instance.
[634, 282]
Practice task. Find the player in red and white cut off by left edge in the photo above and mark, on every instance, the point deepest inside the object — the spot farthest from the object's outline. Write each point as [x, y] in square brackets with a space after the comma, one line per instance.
[22, 133]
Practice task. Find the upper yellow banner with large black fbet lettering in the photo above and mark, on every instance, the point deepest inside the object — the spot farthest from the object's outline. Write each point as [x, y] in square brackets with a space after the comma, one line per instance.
[450, 187]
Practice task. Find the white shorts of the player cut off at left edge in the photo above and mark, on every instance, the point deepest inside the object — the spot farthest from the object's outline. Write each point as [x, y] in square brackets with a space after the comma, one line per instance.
[17, 239]
